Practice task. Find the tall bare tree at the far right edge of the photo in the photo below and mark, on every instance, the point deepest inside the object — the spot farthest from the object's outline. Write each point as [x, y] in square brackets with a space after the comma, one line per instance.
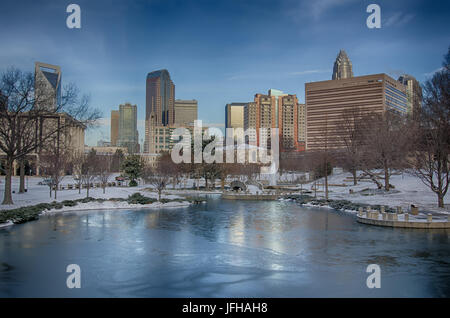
[430, 160]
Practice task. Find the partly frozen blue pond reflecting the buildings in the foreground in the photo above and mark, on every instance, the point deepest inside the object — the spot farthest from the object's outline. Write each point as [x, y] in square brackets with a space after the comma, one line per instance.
[221, 249]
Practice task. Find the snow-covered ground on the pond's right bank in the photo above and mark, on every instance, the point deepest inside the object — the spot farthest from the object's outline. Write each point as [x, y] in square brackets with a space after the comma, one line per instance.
[408, 190]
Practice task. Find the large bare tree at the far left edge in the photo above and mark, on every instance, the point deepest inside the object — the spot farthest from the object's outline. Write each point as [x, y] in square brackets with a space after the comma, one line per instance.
[30, 118]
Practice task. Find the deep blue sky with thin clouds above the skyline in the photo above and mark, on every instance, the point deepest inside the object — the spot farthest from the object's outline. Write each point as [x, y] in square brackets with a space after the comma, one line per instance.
[218, 51]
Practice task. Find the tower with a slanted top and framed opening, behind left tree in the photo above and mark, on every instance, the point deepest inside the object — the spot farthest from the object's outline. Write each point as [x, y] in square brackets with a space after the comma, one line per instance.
[47, 81]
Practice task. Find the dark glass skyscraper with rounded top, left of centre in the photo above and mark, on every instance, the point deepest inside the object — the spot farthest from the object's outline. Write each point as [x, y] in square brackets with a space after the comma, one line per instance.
[160, 98]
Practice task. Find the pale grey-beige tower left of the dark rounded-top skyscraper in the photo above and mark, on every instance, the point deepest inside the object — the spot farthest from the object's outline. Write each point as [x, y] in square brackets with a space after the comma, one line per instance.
[128, 133]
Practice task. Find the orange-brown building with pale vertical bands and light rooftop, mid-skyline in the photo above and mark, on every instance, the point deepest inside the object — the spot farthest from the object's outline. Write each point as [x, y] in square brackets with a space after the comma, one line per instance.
[274, 110]
